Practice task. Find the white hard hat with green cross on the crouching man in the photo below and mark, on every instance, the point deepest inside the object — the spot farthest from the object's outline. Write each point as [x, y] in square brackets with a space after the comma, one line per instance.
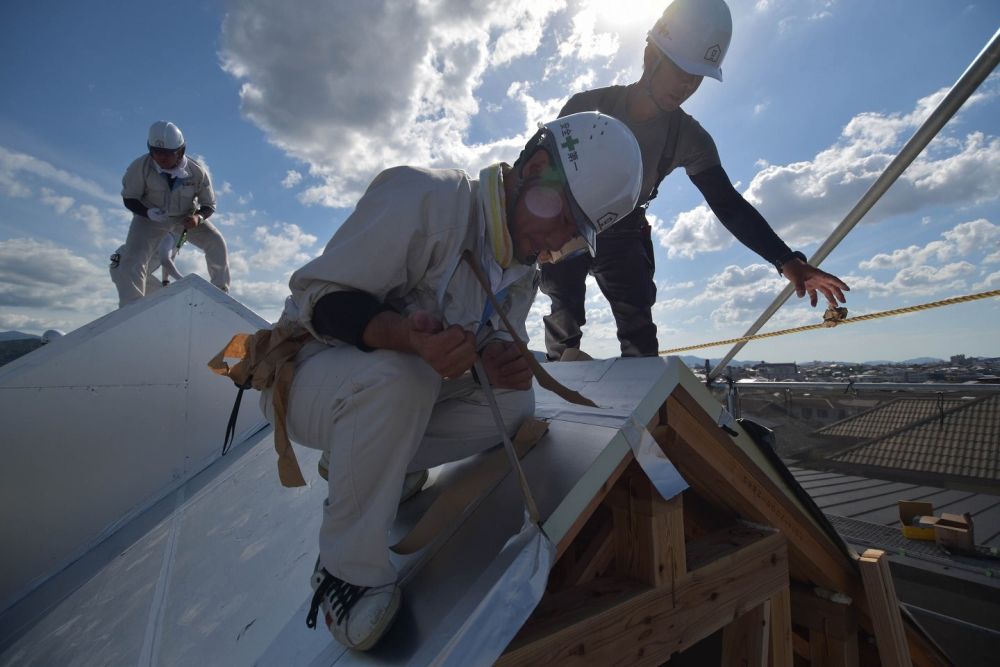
[600, 159]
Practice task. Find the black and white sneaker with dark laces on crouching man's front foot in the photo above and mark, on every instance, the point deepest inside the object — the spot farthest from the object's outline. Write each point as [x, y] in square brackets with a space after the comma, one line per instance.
[356, 616]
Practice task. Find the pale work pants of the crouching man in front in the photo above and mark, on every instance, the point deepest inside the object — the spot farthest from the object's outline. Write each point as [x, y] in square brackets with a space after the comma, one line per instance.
[380, 415]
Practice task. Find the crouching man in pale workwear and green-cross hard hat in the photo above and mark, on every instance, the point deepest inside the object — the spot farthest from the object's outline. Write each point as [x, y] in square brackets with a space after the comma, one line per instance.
[397, 319]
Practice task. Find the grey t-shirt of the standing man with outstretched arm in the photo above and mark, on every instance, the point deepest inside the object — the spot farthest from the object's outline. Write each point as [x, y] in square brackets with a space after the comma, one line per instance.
[672, 135]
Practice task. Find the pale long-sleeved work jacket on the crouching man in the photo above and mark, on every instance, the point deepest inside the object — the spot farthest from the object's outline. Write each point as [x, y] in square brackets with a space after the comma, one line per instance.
[402, 245]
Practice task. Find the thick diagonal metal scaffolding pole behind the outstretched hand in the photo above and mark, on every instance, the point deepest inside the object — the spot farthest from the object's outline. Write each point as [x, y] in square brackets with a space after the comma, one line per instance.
[967, 84]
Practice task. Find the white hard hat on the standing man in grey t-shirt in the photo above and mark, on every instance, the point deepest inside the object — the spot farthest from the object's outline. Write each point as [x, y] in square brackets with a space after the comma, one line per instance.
[695, 35]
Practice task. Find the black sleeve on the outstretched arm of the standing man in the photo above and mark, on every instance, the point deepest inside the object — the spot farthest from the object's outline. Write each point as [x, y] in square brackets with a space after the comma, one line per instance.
[737, 214]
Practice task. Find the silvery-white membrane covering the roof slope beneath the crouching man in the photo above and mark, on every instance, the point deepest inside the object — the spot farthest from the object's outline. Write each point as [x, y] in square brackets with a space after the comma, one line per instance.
[218, 571]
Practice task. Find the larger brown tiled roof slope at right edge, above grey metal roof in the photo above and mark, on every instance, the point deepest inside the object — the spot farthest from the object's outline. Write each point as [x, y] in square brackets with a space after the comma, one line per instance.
[964, 442]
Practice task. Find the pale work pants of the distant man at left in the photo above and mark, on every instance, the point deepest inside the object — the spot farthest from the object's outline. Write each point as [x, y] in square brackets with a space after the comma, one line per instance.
[144, 237]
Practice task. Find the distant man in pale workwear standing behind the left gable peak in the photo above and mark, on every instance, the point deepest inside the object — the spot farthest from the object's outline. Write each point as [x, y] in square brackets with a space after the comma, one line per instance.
[167, 192]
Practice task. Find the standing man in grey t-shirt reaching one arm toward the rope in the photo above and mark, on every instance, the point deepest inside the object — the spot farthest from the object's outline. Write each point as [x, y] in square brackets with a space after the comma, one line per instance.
[687, 43]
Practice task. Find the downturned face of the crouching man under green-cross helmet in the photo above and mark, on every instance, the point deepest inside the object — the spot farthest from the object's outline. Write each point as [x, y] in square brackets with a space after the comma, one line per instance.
[541, 222]
